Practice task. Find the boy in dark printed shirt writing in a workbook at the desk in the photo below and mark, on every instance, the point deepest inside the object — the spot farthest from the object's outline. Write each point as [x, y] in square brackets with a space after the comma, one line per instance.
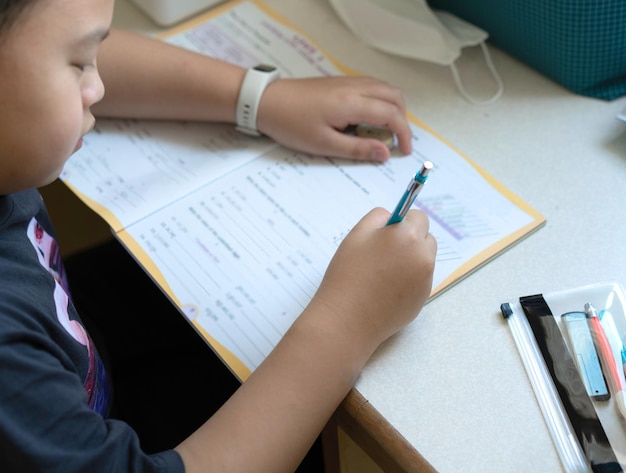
[55, 393]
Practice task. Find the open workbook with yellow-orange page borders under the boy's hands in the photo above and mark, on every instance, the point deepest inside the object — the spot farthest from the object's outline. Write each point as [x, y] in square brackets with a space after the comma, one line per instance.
[237, 230]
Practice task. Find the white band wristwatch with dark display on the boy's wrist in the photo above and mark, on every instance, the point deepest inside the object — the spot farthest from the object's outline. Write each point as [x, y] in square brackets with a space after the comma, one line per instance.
[252, 88]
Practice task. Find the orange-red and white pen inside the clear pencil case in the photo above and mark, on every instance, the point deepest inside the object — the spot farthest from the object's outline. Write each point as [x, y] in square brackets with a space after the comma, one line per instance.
[613, 371]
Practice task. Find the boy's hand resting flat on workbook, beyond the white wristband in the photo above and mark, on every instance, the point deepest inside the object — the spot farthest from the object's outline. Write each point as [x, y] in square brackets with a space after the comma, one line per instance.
[310, 115]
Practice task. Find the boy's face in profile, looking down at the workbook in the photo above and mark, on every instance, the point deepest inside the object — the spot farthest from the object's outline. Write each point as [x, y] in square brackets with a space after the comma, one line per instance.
[48, 81]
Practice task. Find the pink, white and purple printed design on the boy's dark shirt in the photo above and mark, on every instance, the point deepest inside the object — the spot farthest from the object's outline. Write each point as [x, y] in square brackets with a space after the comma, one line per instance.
[96, 382]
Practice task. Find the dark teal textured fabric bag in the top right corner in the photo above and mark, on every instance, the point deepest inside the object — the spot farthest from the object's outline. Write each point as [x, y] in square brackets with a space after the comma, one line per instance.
[580, 44]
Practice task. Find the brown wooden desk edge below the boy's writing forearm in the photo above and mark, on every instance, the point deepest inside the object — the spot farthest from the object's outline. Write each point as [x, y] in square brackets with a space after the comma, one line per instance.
[376, 436]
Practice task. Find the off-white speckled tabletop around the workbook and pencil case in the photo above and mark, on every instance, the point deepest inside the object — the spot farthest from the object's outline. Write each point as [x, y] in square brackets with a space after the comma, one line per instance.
[452, 383]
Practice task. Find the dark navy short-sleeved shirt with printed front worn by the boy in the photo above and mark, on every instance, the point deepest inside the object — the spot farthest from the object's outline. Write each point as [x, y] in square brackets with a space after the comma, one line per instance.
[54, 391]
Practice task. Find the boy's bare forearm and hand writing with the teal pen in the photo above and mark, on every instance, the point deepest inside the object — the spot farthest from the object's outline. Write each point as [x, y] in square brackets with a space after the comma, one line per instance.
[377, 283]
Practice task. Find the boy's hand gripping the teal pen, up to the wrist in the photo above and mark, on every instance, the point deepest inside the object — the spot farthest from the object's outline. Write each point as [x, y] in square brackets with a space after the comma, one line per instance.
[379, 279]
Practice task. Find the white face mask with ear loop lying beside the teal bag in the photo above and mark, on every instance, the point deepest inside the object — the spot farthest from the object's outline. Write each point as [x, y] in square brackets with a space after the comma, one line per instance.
[410, 28]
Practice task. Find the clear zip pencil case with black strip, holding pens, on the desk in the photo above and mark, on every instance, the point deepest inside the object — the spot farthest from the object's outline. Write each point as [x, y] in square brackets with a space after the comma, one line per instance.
[572, 346]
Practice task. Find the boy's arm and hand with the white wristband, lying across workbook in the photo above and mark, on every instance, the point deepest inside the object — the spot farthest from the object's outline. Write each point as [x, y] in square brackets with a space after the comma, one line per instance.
[147, 78]
